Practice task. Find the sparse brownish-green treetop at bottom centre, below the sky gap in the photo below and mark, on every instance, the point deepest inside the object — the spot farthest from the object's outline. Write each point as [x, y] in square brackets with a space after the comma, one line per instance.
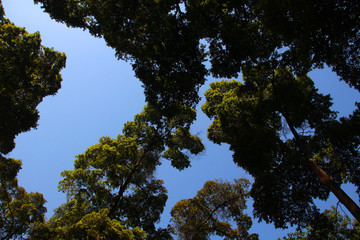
[210, 210]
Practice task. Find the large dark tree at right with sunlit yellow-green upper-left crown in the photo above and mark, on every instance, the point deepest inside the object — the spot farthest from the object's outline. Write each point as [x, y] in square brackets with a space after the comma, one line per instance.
[282, 131]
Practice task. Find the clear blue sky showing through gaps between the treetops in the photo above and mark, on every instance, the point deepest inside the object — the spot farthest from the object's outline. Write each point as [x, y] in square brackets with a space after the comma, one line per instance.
[98, 95]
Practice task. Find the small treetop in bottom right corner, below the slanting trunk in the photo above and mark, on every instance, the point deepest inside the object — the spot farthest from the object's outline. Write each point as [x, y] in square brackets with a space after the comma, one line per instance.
[329, 225]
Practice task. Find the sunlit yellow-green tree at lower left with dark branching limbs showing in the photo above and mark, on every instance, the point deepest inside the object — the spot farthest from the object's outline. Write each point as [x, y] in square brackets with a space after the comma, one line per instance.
[110, 191]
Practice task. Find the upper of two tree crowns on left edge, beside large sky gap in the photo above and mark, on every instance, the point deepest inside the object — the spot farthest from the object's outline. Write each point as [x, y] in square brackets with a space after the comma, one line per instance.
[28, 73]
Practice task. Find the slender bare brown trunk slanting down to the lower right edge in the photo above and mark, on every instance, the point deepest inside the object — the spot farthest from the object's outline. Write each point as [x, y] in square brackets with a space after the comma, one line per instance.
[324, 178]
